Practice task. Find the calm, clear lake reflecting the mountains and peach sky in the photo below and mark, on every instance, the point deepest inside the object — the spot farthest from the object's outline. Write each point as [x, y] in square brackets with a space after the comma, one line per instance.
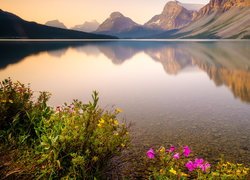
[185, 92]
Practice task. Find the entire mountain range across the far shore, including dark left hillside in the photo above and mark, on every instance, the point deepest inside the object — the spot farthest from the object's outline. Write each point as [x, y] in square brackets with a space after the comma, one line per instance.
[218, 19]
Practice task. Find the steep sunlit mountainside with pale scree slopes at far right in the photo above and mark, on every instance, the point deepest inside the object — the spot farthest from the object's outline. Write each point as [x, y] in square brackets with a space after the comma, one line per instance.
[218, 19]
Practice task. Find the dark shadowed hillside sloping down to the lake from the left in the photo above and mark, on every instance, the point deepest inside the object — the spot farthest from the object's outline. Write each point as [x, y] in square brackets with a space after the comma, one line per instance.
[13, 26]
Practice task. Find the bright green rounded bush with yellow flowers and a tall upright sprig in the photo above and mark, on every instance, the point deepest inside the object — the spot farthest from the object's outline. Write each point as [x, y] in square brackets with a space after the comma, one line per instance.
[79, 139]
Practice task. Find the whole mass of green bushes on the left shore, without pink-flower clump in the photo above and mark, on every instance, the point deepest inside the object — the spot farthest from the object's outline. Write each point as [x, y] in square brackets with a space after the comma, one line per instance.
[74, 141]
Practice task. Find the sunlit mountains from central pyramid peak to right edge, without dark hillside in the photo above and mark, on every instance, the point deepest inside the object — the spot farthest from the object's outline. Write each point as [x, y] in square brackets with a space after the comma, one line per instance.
[217, 19]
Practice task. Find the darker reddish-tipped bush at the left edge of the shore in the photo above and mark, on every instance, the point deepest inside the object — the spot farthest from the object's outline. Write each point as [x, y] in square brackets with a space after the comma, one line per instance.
[20, 116]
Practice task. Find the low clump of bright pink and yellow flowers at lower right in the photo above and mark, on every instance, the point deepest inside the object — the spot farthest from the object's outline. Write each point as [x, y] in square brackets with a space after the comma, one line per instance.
[176, 163]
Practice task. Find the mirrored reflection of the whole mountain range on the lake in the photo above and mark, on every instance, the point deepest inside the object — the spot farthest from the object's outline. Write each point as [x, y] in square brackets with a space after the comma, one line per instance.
[225, 63]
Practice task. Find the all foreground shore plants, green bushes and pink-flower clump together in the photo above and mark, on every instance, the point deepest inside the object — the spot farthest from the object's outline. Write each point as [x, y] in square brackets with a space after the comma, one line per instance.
[84, 141]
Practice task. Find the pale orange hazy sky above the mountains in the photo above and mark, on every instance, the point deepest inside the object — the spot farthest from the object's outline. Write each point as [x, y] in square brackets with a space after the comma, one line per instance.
[73, 12]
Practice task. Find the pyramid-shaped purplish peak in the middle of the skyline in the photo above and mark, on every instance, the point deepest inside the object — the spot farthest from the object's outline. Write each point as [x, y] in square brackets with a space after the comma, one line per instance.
[116, 23]
